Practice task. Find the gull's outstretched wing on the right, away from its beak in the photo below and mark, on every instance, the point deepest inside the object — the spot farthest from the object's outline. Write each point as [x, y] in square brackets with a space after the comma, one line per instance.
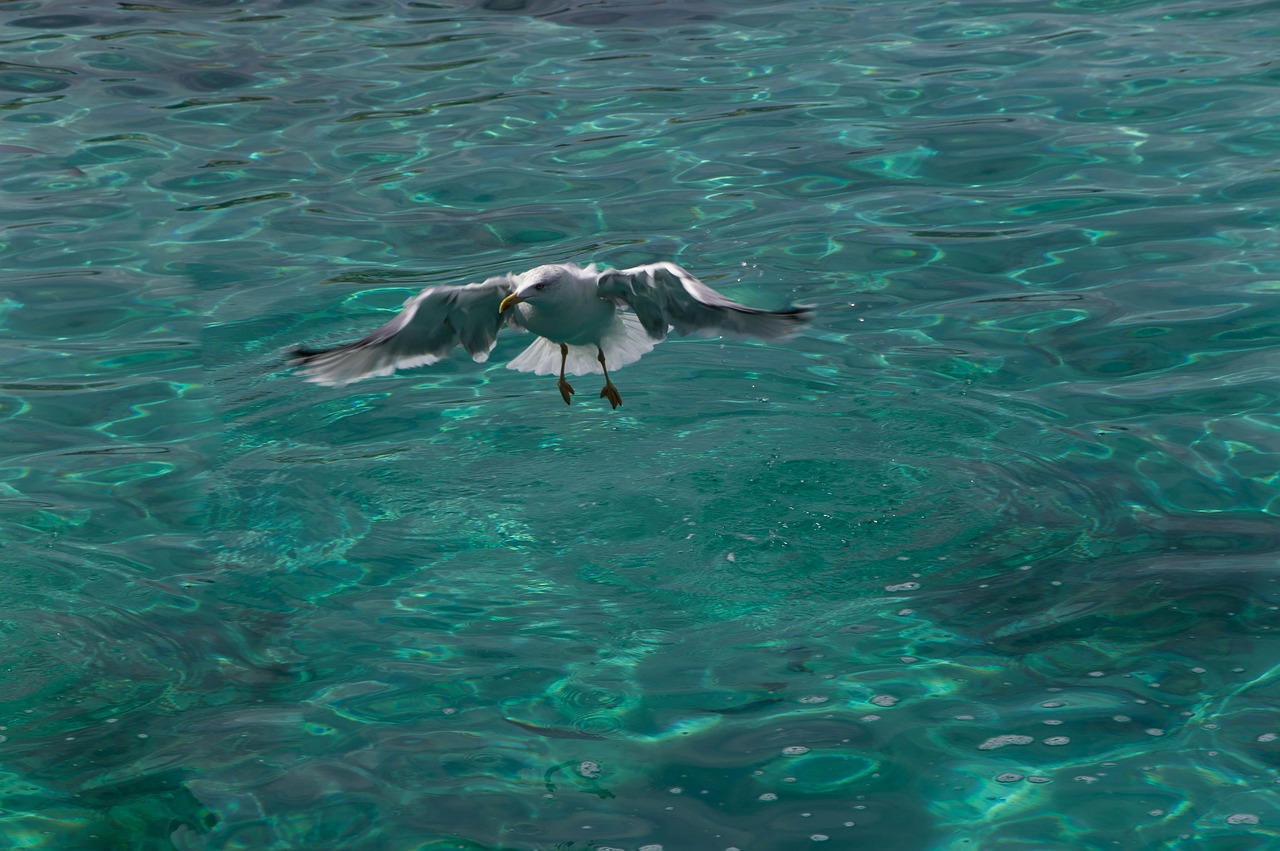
[666, 296]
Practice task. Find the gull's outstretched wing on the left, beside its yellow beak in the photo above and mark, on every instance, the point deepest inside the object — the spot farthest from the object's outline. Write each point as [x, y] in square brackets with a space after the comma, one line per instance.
[431, 326]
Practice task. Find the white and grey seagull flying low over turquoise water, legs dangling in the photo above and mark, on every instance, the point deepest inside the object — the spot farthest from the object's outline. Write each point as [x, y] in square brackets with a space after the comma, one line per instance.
[593, 319]
